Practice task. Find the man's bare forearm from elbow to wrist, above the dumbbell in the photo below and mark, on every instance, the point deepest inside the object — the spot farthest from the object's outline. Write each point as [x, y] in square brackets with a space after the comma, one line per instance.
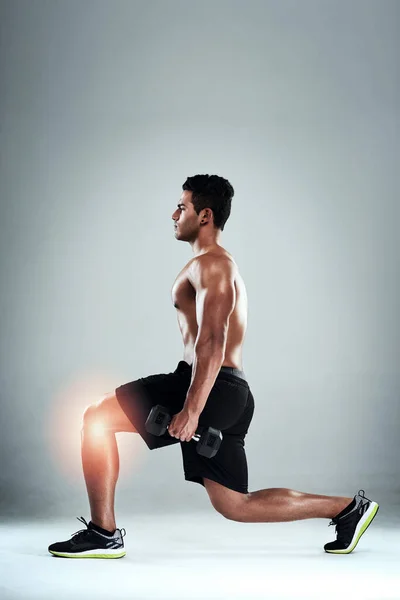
[207, 361]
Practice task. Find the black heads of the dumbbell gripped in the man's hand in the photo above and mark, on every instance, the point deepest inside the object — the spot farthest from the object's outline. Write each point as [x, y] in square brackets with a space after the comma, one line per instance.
[208, 439]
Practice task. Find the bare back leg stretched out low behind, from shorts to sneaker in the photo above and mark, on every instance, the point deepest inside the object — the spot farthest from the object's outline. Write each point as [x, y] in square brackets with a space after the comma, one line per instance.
[273, 505]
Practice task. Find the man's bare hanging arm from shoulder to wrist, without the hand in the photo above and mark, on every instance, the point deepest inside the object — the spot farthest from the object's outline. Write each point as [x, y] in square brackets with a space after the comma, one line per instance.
[213, 280]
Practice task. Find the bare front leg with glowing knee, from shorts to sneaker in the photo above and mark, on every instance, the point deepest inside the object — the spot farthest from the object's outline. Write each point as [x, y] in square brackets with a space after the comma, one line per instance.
[100, 459]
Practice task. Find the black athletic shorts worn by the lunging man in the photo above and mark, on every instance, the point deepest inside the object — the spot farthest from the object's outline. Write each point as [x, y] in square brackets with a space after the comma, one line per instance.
[229, 408]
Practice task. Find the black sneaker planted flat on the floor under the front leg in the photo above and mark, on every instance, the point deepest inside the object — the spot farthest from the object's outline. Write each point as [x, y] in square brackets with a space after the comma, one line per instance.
[89, 543]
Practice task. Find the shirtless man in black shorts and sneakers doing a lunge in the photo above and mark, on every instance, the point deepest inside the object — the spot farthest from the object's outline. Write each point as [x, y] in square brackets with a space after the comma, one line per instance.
[207, 388]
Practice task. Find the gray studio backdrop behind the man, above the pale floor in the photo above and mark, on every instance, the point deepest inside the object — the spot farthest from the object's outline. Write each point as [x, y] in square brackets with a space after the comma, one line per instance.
[106, 108]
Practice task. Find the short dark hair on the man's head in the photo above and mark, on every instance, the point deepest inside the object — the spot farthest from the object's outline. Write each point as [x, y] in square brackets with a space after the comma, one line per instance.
[211, 191]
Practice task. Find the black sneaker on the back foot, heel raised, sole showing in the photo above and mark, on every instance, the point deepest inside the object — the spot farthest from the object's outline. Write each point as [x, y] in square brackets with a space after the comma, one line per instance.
[351, 525]
